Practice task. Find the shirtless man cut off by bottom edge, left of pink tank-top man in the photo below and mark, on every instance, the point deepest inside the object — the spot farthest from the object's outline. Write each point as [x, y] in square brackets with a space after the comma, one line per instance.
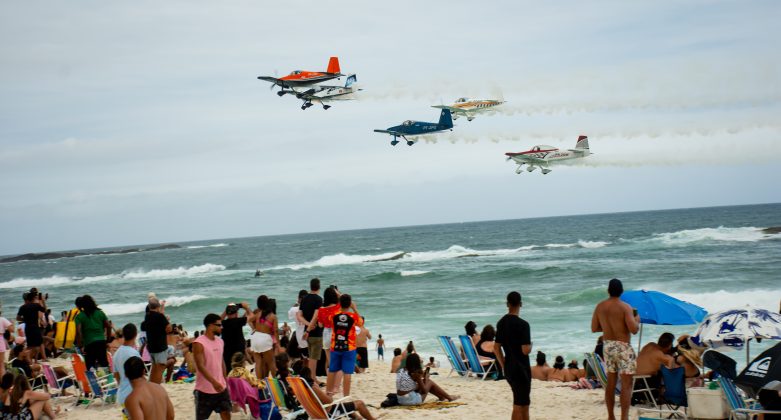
[148, 399]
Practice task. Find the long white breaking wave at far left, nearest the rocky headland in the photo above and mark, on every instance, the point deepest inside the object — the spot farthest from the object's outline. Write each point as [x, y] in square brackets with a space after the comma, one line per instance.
[134, 274]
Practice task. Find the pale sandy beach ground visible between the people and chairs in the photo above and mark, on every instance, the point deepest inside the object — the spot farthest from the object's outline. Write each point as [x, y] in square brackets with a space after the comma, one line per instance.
[482, 399]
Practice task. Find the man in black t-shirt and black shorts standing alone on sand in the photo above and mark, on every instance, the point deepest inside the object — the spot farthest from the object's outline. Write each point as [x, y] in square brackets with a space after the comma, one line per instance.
[514, 337]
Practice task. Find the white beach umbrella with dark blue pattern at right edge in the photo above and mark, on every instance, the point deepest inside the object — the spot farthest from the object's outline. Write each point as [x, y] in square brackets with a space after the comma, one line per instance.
[734, 328]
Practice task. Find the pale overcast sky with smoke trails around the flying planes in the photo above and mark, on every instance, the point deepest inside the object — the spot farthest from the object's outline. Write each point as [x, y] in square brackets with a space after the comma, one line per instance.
[144, 122]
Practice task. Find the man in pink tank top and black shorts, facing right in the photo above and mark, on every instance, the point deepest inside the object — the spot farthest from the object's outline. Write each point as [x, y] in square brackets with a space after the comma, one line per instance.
[211, 393]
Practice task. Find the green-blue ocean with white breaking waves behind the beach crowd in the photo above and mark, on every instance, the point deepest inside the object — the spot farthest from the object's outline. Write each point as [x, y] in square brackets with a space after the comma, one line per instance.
[414, 283]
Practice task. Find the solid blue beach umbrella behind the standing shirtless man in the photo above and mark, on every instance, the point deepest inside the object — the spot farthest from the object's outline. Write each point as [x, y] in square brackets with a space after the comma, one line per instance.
[662, 309]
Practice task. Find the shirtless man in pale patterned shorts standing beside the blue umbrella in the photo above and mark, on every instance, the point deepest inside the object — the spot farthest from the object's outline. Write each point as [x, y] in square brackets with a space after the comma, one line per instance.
[615, 320]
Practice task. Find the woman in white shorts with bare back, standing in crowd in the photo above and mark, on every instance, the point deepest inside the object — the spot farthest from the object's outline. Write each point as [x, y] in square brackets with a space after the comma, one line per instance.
[264, 340]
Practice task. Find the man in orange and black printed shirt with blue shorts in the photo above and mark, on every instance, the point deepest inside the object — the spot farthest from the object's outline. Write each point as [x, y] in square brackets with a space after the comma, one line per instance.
[343, 343]
